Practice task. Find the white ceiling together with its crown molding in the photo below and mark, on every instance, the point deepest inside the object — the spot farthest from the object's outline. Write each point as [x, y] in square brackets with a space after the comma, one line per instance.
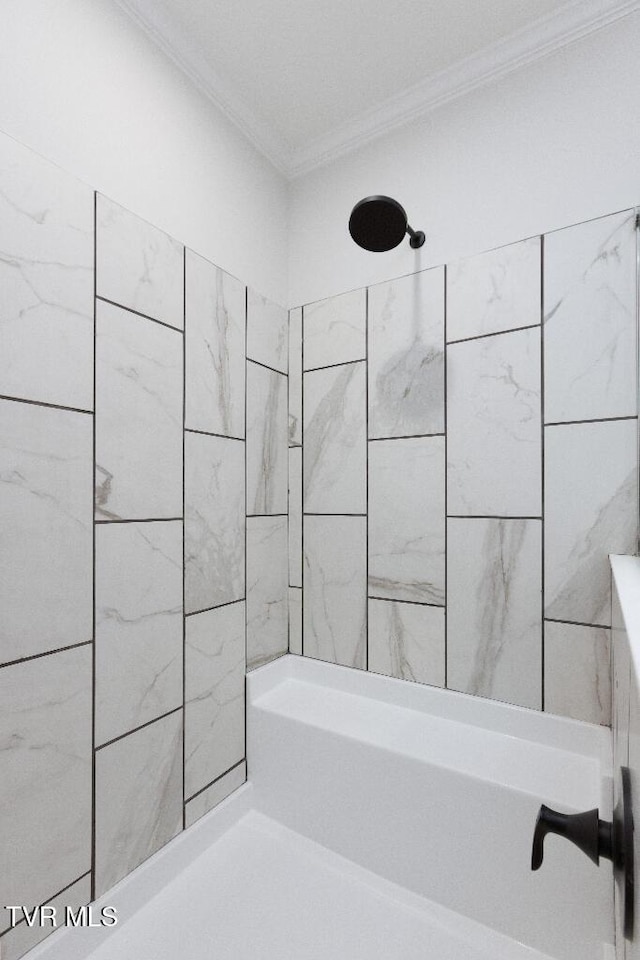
[307, 80]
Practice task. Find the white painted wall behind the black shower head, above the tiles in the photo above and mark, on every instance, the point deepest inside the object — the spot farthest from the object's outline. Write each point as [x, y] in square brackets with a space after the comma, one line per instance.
[553, 144]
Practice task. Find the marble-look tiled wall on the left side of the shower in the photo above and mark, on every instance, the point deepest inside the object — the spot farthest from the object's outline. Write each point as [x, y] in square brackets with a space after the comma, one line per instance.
[127, 620]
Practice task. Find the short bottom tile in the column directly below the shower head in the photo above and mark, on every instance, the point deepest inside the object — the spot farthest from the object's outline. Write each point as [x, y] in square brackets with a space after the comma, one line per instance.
[407, 641]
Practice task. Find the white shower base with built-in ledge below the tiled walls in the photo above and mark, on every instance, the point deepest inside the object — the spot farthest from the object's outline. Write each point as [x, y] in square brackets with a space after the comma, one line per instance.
[382, 819]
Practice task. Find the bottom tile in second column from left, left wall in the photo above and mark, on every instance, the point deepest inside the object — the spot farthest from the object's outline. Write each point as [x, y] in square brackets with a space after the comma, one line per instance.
[138, 805]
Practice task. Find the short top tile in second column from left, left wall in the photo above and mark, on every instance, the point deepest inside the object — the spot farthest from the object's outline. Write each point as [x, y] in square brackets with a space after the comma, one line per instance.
[137, 265]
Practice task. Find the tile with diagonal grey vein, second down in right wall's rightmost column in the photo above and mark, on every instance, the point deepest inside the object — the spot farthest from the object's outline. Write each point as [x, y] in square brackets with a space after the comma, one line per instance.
[591, 497]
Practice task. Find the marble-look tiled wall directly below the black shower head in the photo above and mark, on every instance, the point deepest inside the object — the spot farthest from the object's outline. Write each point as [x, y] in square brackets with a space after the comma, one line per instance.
[463, 458]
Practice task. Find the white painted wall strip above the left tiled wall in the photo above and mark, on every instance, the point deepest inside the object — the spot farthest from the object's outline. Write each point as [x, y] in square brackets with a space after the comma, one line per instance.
[83, 86]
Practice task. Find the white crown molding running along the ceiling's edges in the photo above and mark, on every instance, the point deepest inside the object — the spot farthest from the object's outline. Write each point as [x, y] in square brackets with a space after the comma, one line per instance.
[546, 35]
